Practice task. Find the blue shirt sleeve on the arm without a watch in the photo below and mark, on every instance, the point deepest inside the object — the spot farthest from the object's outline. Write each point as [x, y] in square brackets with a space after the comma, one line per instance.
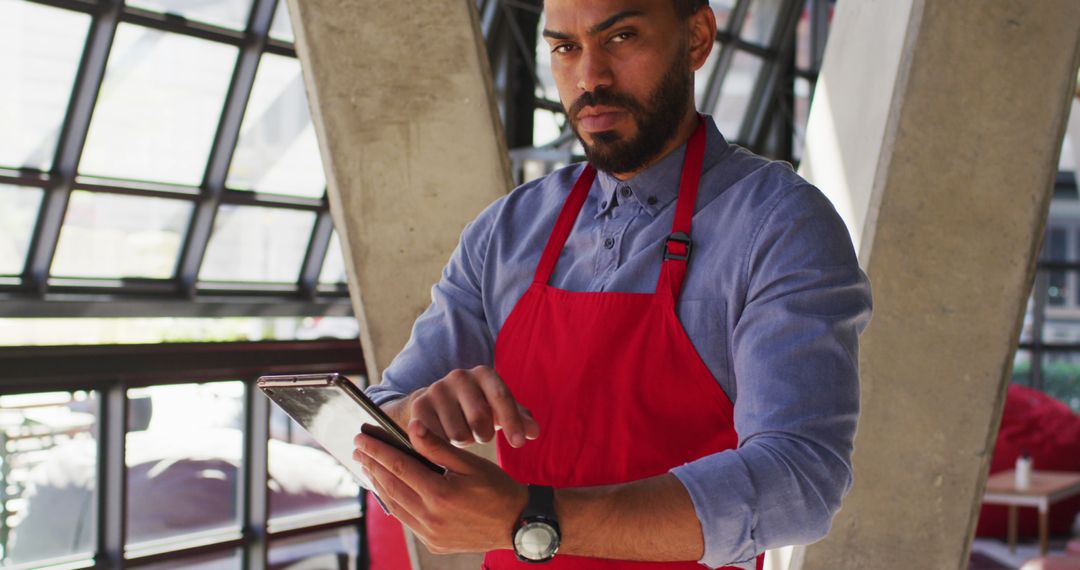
[453, 332]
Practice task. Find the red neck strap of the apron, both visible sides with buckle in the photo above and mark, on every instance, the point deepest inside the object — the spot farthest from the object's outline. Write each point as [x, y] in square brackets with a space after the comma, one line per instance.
[678, 247]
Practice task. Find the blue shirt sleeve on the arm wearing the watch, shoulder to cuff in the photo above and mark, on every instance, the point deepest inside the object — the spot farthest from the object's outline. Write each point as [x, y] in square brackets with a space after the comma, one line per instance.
[795, 350]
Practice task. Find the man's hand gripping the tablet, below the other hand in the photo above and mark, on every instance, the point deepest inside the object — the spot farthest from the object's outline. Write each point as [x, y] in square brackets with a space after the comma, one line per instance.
[471, 509]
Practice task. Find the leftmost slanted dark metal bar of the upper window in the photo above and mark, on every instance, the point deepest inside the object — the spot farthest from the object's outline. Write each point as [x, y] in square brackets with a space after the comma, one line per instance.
[70, 146]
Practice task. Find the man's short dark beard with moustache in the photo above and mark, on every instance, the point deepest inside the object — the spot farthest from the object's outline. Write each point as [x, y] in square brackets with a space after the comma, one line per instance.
[658, 121]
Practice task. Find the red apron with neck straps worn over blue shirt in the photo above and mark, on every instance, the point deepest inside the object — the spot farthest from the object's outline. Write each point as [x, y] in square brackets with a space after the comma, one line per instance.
[619, 391]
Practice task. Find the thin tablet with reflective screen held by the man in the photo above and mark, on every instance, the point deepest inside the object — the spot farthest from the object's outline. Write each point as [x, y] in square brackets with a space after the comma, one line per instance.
[334, 411]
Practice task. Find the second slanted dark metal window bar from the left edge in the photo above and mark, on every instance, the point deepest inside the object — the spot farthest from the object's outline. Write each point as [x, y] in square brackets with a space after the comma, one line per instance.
[225, 143]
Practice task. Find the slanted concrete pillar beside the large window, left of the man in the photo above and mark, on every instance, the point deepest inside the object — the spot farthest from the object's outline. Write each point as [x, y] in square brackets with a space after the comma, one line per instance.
[402, 101]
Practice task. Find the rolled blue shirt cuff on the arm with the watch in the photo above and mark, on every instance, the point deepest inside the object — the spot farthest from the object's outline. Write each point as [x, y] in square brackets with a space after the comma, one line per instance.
[724, 506]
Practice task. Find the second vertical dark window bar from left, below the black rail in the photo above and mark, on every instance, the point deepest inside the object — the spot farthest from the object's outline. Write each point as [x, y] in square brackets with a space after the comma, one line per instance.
[253, 495]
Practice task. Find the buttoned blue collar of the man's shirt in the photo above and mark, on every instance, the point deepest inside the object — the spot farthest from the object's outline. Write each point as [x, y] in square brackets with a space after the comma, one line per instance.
[658, 186]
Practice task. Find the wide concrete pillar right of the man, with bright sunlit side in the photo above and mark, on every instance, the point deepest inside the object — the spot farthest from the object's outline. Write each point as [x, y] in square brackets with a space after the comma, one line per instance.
[936, 130]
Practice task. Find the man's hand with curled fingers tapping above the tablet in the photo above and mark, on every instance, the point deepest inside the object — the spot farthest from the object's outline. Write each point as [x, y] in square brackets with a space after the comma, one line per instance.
[467, 408]
